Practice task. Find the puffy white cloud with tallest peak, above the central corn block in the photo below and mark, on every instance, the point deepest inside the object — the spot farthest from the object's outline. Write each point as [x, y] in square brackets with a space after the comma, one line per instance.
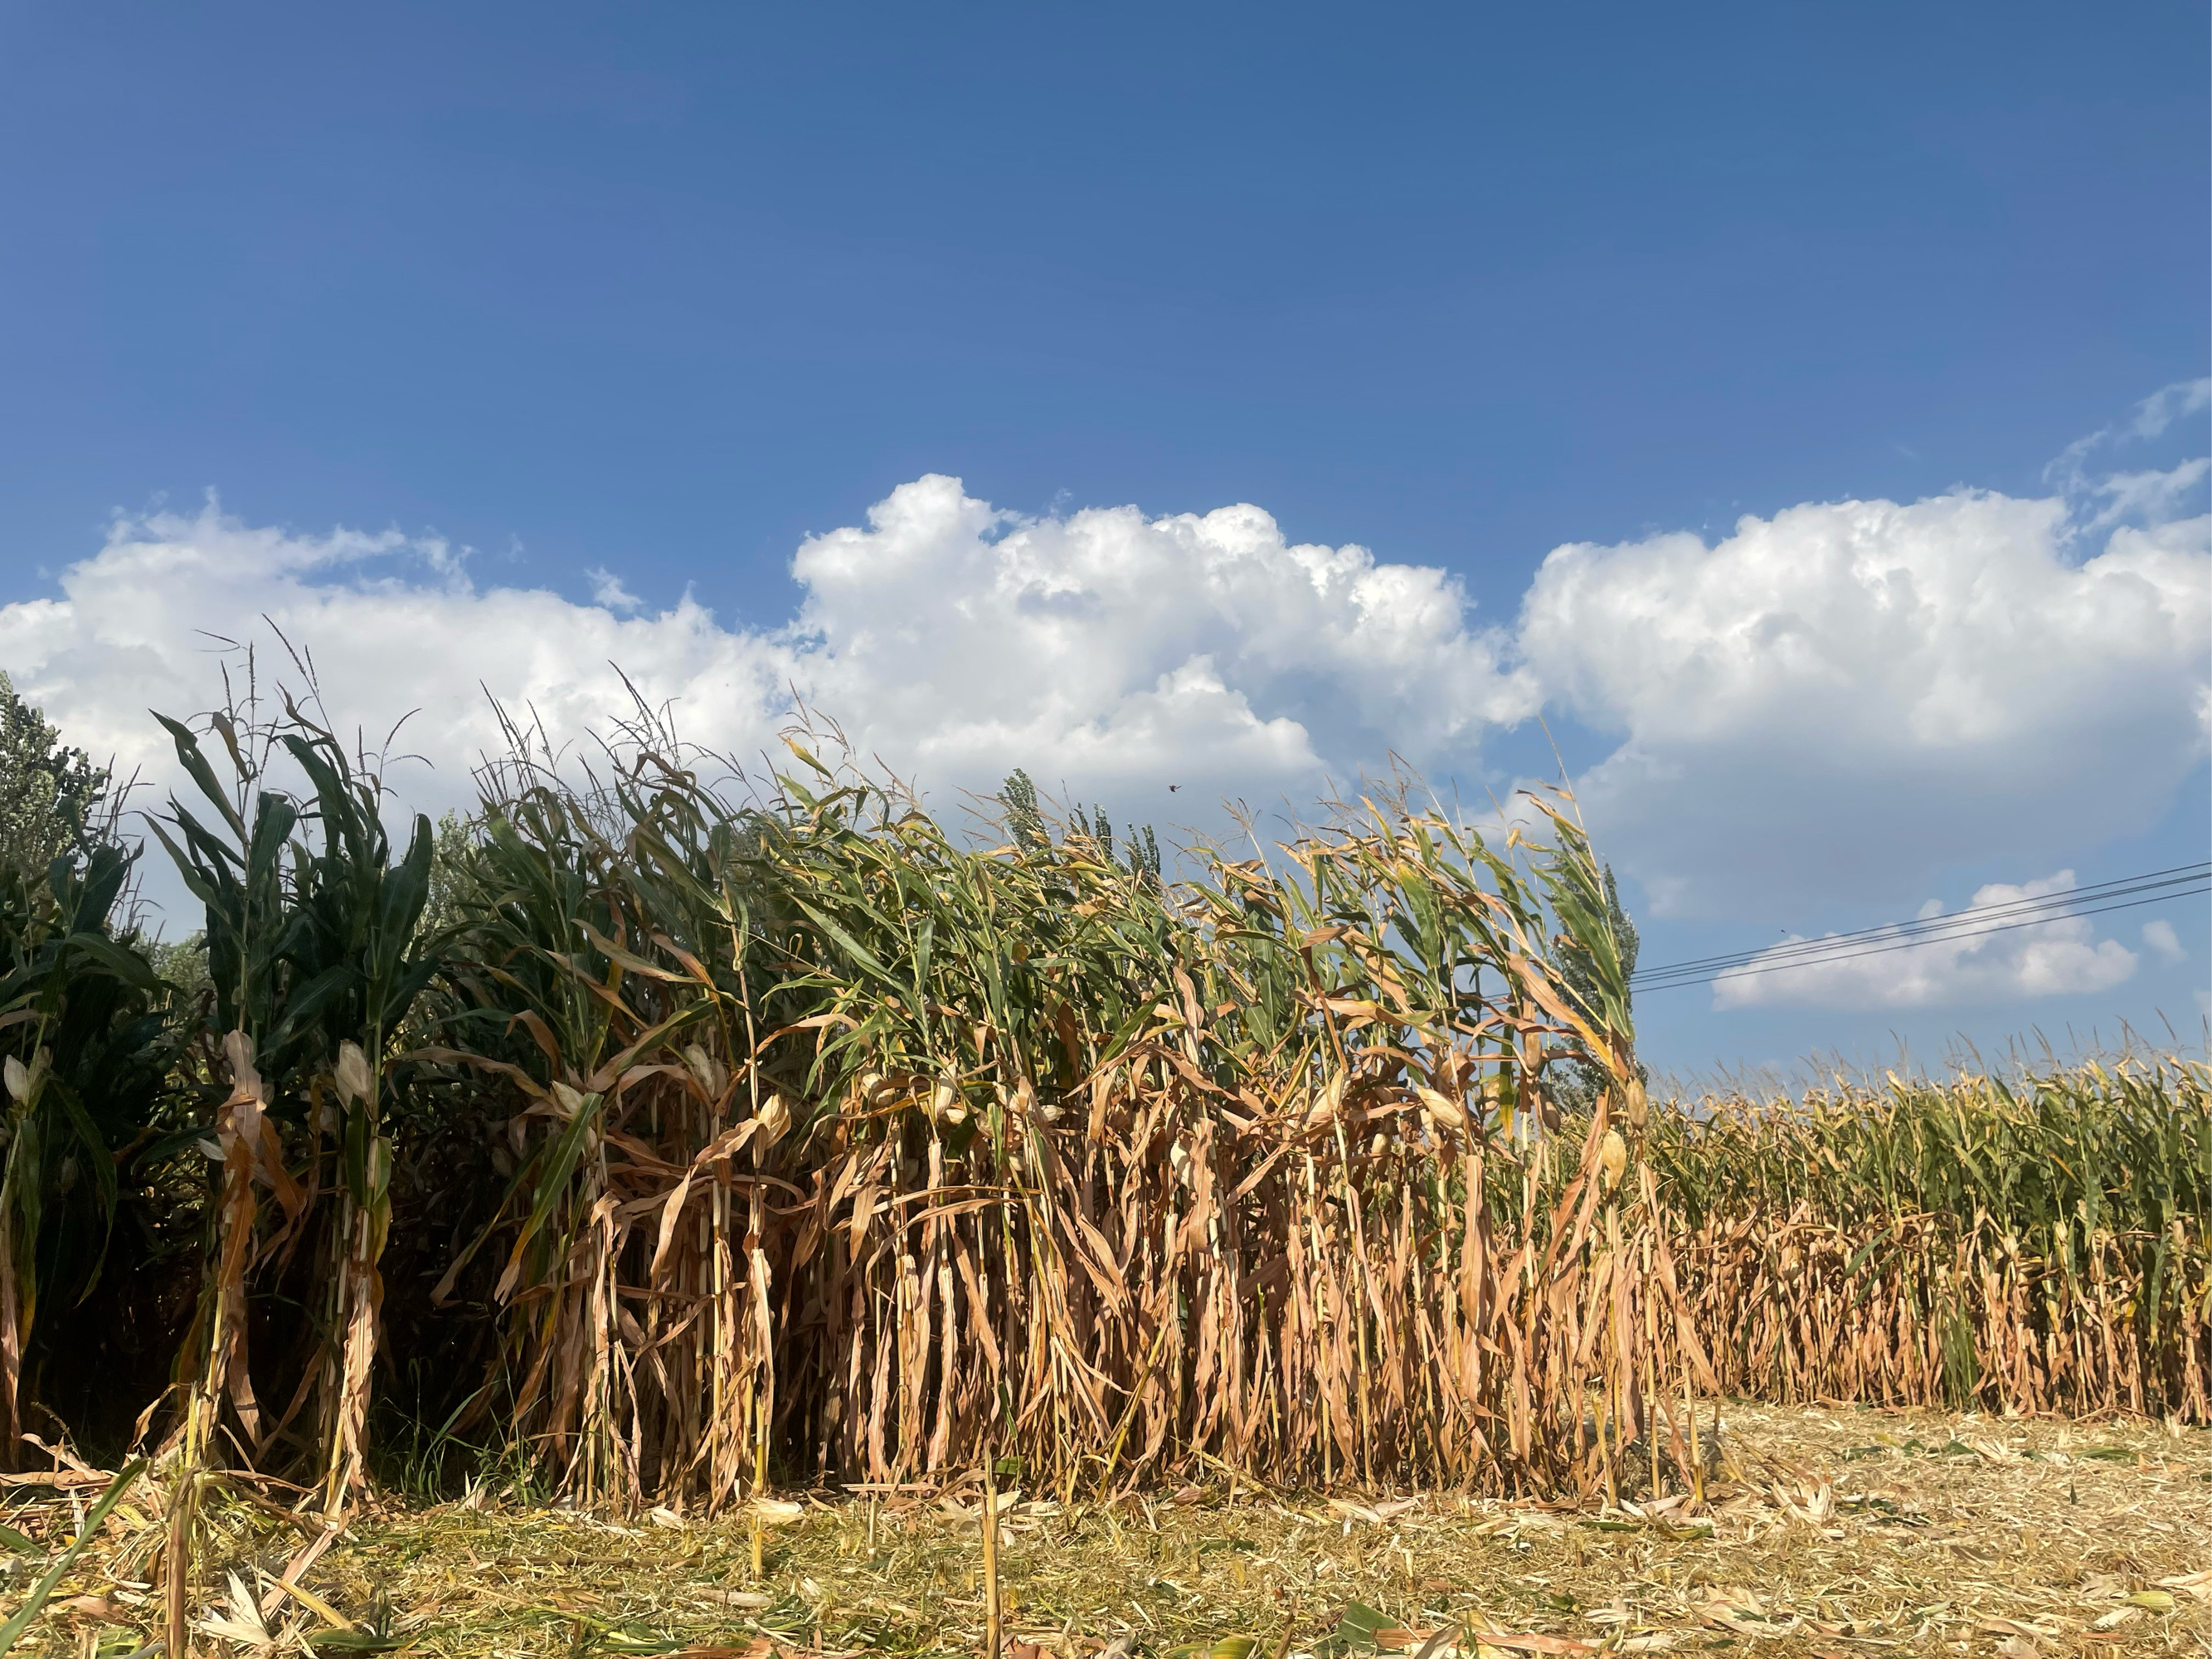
[1112, 649]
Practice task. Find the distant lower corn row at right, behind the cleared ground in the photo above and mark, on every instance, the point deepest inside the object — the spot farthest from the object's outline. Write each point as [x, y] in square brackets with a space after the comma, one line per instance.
[2025, 1249]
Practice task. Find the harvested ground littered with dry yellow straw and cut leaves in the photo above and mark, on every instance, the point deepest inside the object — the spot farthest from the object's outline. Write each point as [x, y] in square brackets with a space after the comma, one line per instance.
[1833, 1532]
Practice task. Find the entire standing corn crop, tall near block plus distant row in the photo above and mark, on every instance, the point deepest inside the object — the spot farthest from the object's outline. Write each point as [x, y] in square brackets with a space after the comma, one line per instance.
[671, 1140]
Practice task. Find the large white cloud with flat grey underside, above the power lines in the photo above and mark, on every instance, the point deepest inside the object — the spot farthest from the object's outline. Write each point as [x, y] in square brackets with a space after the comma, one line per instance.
[1861, 691]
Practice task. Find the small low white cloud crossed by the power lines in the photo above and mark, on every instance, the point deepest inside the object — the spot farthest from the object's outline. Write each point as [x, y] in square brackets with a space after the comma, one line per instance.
[1888, 972]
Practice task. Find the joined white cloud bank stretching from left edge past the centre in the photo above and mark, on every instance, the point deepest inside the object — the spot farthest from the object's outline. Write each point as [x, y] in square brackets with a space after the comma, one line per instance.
[948, 638]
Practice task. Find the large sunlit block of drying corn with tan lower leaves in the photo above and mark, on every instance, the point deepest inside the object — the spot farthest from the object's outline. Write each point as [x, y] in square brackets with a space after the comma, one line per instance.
[1043, 1156]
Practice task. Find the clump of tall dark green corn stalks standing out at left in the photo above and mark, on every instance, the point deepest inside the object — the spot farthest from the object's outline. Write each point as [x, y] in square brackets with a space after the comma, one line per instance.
[311, 926]
